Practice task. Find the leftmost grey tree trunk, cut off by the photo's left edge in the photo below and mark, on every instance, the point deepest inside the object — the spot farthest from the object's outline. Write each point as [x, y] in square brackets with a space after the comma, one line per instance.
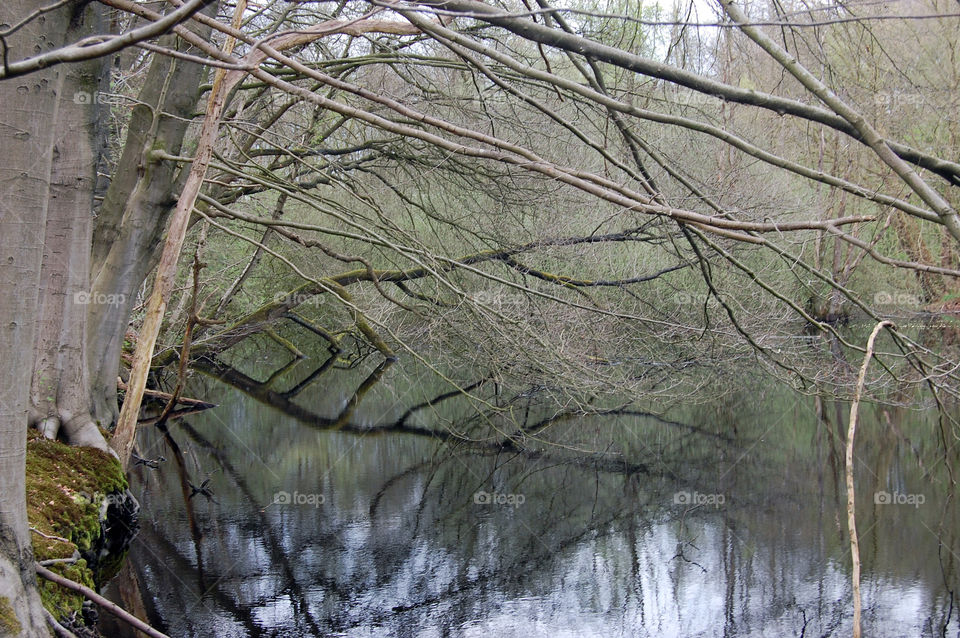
[28, 110]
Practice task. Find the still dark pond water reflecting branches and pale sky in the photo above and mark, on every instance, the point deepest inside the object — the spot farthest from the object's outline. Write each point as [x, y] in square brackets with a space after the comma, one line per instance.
[368, 502]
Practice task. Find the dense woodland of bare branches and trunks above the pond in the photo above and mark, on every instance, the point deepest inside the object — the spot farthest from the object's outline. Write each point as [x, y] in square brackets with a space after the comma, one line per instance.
[590, 200]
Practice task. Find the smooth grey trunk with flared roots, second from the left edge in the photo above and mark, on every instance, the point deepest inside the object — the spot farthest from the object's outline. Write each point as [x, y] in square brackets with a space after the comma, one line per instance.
[60, 390]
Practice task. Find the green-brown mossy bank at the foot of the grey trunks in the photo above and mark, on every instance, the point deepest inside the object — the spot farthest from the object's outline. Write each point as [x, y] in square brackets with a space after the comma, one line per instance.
[66, 487]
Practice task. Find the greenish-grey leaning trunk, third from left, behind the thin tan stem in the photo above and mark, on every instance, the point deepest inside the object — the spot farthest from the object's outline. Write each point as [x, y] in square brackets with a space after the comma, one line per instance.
[134, 213]
